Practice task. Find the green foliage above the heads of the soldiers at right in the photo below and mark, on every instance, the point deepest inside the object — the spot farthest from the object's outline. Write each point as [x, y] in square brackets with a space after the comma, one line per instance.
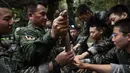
[97, 5]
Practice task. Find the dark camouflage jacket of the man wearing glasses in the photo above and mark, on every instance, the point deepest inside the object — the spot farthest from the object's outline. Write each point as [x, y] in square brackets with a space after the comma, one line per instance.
[119, 59]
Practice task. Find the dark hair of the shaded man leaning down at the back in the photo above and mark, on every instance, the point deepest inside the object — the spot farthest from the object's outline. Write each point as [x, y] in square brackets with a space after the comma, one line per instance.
[82, 9]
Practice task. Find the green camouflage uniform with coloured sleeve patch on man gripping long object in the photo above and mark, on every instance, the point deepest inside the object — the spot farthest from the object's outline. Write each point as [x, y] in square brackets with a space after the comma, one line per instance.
[33, 47]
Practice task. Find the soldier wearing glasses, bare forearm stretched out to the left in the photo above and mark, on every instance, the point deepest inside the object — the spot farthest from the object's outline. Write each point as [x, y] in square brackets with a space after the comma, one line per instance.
[119, 57]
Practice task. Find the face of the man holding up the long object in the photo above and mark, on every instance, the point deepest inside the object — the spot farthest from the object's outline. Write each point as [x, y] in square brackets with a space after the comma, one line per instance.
[39, 17]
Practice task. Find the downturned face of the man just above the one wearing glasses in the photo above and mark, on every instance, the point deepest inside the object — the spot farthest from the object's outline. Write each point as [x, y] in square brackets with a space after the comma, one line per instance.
[114, 18]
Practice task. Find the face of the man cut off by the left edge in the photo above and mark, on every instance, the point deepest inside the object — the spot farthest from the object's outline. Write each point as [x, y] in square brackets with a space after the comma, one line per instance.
[5, 21]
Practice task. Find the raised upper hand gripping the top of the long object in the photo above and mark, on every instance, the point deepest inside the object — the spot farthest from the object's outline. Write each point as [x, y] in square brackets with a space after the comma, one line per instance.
[60, 26]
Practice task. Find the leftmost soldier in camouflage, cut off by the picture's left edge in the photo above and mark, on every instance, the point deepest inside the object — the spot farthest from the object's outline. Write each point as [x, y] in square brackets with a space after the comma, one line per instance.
[5, 28]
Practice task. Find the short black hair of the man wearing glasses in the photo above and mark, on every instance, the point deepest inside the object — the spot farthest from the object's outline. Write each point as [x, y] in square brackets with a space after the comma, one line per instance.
[123, 25]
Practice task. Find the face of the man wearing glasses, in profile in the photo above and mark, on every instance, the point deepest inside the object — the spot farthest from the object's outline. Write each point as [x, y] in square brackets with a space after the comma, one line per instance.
[120, 41]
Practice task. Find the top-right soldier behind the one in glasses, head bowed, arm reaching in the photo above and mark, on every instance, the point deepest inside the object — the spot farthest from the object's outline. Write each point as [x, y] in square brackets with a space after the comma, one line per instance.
[115, 14]
